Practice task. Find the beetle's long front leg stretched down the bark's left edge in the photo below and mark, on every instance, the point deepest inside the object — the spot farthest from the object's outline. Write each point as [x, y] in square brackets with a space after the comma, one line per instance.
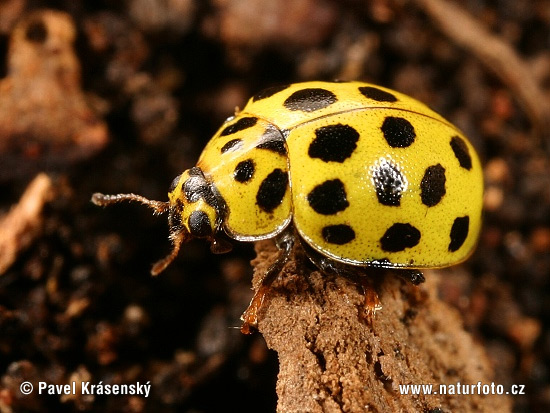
[250, 316]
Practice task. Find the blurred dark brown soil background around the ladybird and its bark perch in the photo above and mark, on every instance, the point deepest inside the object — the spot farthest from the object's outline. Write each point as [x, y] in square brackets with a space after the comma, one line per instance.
[121, 96]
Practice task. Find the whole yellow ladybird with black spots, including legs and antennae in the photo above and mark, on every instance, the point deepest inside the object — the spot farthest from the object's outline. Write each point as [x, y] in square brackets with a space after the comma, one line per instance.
[360, 175]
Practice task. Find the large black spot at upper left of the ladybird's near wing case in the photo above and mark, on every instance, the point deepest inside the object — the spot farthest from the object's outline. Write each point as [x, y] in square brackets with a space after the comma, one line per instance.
[333, 143]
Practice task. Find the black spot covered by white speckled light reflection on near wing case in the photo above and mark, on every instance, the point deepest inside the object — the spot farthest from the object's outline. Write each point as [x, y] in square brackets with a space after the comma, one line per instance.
[389, 183]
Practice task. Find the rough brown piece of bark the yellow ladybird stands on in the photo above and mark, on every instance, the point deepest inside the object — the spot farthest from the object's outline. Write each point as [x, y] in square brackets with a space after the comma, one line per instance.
[331, 360]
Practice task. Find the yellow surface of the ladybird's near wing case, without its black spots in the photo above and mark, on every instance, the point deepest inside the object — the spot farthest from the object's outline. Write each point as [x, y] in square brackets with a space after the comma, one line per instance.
[366, 215]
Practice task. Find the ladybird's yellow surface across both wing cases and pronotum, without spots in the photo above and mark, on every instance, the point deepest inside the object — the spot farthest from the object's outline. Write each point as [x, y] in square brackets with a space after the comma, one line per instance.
[368, 218]
